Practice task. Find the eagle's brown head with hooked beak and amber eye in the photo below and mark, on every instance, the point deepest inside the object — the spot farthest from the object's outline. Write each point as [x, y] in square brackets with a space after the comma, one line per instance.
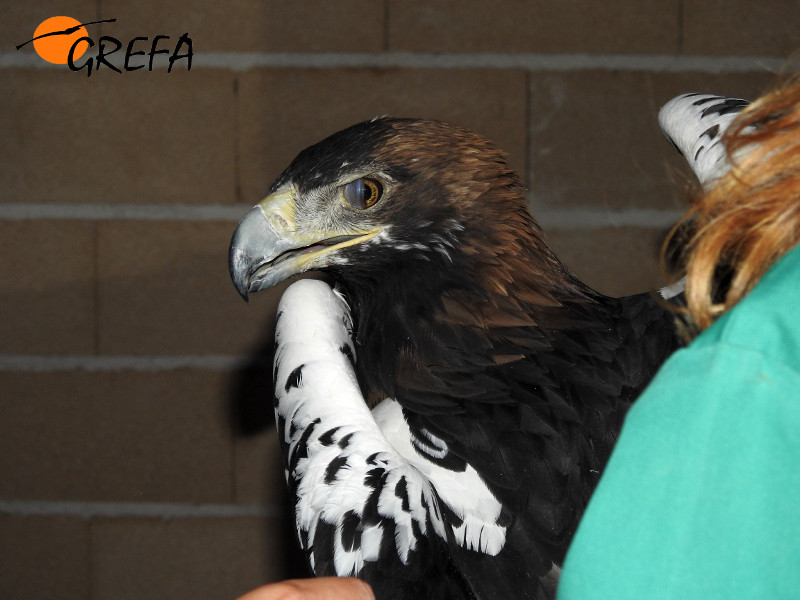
[390, 196]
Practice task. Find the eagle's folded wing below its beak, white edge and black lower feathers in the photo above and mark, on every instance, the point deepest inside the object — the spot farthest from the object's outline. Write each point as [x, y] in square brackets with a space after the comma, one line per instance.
[361, 507]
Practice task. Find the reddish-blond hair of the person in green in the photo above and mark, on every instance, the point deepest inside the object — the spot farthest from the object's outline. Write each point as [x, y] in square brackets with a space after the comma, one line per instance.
[751, 217]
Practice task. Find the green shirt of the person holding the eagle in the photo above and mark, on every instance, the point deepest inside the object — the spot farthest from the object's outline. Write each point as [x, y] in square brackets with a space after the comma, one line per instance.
[701, 497]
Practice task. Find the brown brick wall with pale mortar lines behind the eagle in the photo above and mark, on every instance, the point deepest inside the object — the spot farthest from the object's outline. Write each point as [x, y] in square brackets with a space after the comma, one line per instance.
[137, 457]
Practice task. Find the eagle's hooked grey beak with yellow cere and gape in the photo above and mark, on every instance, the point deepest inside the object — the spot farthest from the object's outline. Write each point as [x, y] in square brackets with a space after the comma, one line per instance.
[267, 246]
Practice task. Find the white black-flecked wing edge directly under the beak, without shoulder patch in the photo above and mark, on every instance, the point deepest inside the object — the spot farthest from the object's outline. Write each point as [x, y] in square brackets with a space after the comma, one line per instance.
[332, 440]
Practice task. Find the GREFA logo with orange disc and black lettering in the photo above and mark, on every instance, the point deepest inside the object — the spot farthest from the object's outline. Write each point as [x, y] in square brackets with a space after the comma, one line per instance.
[64, 40]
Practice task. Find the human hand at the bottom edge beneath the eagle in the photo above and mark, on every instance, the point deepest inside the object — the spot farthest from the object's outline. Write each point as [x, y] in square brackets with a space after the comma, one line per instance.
[321, 588]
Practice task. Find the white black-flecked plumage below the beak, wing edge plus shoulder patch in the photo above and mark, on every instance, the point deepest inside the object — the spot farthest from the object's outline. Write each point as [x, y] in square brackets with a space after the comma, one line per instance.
[332, 442]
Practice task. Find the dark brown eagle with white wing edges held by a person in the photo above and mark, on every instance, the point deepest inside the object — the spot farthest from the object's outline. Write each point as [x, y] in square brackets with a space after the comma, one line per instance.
[501, 380]
